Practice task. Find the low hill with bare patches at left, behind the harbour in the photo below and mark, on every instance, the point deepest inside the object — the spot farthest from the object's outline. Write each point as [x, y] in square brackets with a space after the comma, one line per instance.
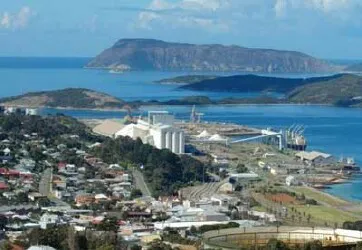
[65, 98]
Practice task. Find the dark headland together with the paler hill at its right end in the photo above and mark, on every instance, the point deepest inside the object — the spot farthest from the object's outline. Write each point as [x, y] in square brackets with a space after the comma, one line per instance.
[341, 89]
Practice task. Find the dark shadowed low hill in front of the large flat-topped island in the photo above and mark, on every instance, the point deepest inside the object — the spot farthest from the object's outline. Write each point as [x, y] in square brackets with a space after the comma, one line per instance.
[253, 83]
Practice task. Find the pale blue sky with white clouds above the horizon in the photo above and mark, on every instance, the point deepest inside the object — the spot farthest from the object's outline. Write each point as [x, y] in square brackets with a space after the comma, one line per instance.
[329, 29]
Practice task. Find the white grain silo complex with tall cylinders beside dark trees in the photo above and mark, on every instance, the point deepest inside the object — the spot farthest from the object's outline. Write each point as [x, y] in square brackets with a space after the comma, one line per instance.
[157, 131]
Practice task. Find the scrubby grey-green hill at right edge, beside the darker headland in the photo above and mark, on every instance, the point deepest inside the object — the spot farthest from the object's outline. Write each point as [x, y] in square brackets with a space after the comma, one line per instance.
[345, 90]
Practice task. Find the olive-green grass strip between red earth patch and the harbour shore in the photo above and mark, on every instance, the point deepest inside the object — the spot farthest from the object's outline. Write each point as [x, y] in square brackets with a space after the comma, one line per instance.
[320, 196]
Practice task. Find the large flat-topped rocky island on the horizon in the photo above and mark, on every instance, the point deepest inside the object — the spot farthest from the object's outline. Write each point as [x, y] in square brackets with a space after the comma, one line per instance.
[150, 54]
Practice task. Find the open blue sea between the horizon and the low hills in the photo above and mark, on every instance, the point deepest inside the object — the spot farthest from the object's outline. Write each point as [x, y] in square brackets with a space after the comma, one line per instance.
[38, 74]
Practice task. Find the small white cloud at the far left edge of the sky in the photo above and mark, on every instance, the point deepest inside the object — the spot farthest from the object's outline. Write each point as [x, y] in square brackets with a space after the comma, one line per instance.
[17, 20]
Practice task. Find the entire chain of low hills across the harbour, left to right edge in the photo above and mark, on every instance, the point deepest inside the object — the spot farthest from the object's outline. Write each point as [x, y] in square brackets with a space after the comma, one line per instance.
[340, 90]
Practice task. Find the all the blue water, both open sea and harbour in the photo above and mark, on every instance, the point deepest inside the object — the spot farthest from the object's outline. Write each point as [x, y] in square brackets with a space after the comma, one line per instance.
[329, 129]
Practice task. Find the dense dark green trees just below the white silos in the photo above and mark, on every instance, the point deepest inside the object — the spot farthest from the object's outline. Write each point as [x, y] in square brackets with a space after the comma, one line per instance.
[164, 171]
